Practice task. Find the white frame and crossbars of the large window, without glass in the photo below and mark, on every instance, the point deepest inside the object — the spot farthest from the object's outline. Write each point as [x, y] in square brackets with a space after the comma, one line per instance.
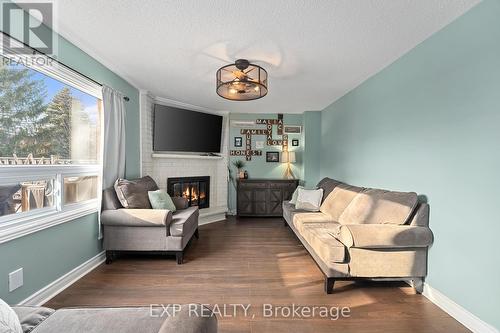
[17, 225]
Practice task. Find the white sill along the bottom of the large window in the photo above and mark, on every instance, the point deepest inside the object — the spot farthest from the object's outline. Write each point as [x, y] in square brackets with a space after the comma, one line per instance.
[35, 223]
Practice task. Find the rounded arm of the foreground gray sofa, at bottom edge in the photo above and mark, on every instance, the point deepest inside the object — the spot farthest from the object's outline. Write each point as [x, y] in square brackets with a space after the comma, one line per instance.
[191, 318]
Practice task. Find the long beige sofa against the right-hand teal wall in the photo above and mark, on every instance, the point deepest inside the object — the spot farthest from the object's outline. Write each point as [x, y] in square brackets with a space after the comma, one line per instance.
[365, 233]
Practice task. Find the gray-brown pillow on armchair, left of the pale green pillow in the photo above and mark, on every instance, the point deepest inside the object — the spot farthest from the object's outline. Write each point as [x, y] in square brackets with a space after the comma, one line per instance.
[134, 193]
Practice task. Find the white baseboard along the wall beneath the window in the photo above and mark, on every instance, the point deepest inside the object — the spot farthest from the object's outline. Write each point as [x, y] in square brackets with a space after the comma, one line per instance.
[52, 289]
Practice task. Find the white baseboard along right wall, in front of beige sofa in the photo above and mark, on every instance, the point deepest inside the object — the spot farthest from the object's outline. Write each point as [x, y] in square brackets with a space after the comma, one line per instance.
[455, 310]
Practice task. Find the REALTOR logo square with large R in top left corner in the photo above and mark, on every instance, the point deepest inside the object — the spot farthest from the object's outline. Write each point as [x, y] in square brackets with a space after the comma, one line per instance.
[27, 22]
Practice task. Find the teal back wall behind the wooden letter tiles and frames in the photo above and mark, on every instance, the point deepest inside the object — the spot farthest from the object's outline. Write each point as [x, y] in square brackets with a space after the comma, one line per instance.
[258, 167]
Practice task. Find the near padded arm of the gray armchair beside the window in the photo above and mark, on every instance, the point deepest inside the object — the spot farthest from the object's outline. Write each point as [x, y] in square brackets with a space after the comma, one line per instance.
[137, 217]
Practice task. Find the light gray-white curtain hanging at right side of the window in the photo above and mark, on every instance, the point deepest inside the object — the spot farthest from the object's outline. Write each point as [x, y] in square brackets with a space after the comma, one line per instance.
[114, 136]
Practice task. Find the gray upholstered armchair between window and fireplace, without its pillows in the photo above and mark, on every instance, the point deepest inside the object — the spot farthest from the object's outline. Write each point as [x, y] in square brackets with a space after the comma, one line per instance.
[150, 230]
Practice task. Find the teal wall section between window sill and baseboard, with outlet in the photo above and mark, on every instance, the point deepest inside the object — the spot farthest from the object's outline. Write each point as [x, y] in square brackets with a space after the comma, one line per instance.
[47, 255]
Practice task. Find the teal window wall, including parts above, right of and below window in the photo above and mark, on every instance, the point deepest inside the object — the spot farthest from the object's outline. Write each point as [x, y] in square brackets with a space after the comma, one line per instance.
[49, 254]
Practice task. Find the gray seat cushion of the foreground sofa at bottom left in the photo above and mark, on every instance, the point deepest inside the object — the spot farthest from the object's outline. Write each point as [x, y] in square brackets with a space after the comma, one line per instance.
[98, 320]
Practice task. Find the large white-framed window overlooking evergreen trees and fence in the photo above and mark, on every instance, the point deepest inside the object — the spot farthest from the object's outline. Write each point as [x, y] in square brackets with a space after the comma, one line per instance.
[50, 145]
